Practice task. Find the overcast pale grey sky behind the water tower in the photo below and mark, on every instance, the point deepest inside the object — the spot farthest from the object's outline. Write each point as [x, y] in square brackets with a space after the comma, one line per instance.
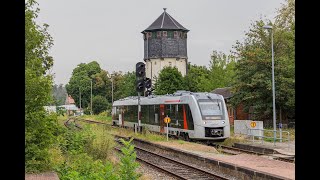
[109, 32]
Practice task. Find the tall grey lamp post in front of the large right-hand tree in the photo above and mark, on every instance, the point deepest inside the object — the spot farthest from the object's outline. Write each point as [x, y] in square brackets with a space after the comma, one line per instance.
[273, 87]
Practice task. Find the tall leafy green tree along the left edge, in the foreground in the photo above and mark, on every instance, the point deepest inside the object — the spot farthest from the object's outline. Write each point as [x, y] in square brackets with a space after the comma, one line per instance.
[40, 128]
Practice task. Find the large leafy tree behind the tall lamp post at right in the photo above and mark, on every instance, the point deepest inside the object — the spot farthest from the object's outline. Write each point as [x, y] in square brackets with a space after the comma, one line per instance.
[253, 83]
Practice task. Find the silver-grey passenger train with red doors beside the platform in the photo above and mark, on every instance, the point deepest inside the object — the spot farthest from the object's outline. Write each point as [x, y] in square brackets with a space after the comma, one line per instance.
[200, 116]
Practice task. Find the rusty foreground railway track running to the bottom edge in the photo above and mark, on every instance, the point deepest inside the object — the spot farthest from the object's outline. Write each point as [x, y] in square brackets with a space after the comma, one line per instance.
[172, 167]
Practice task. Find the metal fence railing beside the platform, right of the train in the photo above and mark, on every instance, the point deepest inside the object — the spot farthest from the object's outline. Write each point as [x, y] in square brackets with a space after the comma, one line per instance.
[280, 135]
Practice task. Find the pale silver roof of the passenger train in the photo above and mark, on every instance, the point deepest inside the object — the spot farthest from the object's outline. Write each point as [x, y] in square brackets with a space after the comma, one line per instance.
[174, 98]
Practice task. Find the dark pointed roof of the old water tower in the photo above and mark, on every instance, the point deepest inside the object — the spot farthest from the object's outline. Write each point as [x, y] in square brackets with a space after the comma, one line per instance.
[165, 22]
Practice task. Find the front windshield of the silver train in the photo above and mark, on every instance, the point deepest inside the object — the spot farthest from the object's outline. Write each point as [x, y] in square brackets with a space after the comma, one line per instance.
[211, 109]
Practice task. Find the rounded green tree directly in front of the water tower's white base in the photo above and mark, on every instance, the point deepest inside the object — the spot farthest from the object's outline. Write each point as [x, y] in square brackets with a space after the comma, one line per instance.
[169, 81]
